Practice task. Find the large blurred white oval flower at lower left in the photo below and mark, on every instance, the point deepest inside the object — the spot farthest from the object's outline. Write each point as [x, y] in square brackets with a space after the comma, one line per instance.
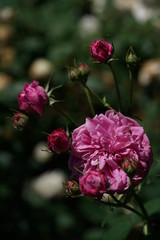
[48, 184]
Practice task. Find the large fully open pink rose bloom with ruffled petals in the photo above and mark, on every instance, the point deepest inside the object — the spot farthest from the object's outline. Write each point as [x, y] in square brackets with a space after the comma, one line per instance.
[105, 142]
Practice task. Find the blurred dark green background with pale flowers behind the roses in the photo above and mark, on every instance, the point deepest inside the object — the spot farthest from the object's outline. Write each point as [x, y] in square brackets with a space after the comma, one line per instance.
[39, 40]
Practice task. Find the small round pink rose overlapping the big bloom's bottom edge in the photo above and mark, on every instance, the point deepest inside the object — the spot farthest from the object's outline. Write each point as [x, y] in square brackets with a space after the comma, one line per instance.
[93, 183]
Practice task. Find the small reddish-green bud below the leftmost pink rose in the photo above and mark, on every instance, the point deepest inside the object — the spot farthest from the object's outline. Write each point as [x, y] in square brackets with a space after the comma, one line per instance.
[20, 120]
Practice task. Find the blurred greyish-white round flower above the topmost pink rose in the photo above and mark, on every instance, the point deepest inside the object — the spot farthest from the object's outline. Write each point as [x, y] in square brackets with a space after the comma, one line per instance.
[88, 25]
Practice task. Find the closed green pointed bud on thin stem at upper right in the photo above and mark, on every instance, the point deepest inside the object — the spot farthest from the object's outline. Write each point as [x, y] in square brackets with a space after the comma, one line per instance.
[131, 58]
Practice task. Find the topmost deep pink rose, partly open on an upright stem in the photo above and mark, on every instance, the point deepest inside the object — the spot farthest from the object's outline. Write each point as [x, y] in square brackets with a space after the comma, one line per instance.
[101, 51]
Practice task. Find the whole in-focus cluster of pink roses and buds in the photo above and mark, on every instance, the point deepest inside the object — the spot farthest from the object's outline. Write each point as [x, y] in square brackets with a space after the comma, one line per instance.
[109, 153]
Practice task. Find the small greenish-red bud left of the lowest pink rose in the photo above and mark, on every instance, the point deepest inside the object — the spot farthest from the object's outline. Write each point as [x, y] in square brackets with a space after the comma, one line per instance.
[72, 188]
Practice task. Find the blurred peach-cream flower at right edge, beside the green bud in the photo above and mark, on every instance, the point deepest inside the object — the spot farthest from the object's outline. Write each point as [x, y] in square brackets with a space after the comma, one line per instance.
[150, 71]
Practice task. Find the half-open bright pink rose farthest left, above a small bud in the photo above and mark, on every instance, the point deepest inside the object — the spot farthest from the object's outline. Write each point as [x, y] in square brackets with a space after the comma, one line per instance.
[33, 98]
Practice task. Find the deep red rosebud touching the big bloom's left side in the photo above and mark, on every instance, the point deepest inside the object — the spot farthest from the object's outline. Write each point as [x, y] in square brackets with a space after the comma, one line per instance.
[58, 141]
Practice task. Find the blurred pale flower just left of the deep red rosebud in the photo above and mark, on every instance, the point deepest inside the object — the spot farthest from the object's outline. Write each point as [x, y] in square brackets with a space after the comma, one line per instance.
[41, 153]
